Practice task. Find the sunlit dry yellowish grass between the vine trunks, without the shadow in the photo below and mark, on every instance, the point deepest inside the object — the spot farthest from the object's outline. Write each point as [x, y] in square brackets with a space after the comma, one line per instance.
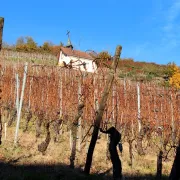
[25, 153]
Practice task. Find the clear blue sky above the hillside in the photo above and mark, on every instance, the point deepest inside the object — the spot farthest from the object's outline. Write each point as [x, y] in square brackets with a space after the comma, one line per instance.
[147, 30]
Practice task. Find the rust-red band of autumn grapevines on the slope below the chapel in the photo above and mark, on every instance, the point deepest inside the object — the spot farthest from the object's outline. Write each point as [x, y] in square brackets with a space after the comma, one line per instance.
[147, 115]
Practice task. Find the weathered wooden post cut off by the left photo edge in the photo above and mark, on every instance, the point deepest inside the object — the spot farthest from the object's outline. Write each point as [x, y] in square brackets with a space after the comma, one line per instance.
[1, 32]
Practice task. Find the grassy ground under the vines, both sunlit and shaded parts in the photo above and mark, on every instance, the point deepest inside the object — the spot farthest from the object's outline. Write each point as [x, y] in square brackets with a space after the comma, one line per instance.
[25, 162]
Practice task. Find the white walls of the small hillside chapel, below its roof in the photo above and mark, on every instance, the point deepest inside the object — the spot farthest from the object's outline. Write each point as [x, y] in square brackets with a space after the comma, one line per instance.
[90, 65]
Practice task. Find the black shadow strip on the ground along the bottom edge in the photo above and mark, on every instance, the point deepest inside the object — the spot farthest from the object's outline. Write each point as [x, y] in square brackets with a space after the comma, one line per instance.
[9, 171]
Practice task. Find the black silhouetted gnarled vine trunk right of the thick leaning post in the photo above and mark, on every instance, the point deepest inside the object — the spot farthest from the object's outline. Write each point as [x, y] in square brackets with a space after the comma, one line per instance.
[115, 138]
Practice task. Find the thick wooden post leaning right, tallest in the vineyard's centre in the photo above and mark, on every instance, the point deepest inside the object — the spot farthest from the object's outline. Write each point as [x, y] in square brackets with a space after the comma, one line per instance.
[100, 111]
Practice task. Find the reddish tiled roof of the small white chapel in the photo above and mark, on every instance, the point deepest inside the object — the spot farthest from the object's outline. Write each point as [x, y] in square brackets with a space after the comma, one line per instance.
[76, 53]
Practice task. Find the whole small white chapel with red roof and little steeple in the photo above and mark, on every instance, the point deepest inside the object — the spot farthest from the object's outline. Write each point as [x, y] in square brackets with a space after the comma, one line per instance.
[76, 59]
